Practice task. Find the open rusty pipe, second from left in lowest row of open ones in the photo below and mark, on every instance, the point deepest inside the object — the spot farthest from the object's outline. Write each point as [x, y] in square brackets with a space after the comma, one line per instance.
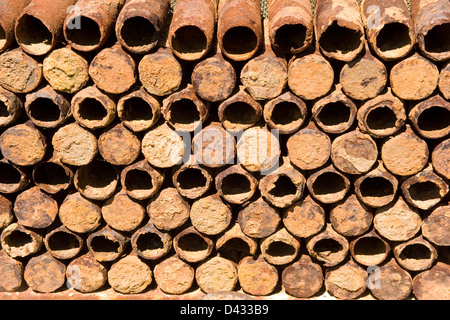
[63, 243]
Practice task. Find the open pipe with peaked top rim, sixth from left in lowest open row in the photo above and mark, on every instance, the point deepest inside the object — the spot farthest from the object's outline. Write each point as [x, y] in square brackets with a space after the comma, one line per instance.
[234, 244]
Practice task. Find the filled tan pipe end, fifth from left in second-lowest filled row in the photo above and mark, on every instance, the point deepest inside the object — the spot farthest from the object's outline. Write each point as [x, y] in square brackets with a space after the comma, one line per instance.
[168, 210]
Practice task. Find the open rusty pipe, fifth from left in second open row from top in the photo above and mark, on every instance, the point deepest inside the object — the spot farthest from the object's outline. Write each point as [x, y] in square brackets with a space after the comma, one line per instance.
[184, 111]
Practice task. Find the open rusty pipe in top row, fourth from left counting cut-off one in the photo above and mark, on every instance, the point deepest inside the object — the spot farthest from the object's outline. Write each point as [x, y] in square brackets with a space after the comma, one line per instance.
[140, 24]
